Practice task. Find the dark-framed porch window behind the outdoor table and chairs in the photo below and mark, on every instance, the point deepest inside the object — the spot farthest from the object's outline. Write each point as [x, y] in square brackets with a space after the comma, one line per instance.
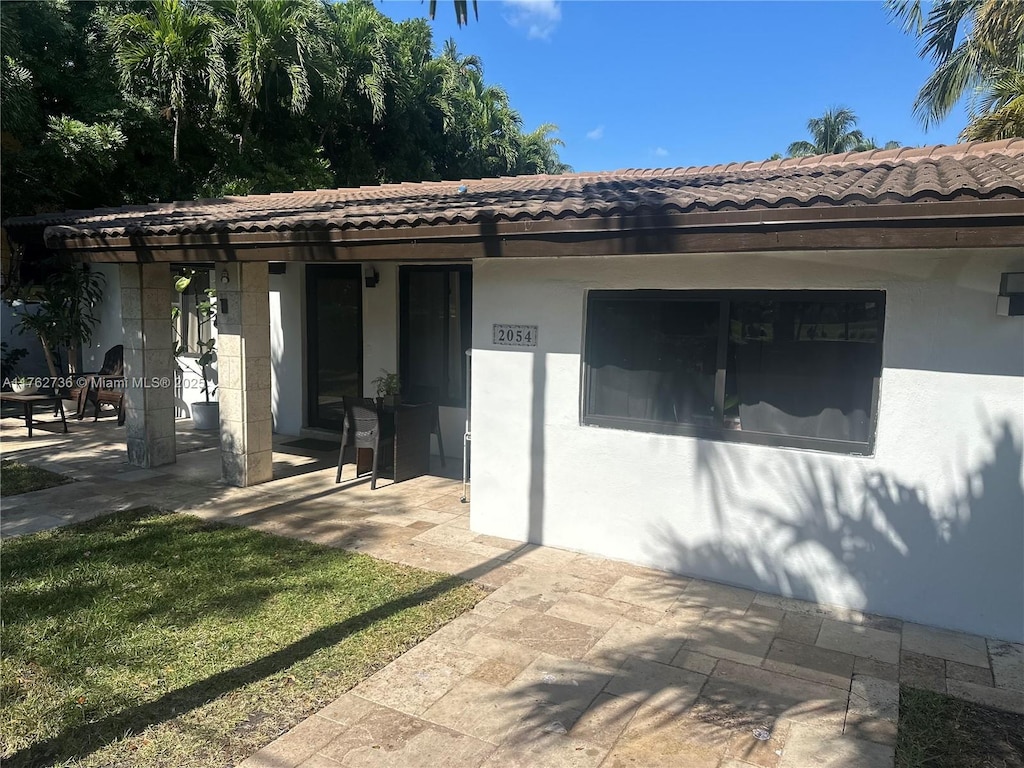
[436, 330]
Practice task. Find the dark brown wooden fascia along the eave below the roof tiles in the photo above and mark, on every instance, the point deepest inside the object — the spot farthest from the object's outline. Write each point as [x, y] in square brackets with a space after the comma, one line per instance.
[1001, 218]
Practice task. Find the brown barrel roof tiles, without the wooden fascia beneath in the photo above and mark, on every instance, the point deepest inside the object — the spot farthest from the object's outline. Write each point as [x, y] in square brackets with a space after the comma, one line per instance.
[973, 172]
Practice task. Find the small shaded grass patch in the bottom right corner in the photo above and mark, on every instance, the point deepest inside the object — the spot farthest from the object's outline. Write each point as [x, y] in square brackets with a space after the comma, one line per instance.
[940, 732]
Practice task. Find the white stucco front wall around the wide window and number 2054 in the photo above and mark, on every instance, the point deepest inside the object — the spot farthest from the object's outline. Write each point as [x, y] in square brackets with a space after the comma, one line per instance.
[929, 529]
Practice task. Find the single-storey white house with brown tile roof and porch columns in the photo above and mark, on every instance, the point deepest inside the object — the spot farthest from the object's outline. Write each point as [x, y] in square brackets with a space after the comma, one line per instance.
[802, 376]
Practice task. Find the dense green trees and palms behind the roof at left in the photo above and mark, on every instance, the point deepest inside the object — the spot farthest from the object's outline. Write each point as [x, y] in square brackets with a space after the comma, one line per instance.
[127, 102]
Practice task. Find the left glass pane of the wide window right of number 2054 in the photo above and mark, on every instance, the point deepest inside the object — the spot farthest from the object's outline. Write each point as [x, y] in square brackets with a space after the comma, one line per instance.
[654, 361]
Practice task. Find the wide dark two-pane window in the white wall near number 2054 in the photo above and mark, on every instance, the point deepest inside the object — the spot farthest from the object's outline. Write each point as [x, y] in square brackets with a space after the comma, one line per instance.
[785, 368]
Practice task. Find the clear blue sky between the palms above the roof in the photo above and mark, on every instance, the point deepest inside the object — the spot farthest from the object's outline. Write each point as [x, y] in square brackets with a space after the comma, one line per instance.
[675, 83]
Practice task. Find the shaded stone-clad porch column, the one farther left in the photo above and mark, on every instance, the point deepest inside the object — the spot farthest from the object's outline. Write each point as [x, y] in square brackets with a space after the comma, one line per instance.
[146, 320]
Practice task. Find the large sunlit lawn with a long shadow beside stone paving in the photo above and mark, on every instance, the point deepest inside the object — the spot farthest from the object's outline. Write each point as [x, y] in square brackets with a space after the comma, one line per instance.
[144, 638]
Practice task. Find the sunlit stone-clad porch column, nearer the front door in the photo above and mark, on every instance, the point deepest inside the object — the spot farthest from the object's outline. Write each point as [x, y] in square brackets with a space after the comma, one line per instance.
[244, 372]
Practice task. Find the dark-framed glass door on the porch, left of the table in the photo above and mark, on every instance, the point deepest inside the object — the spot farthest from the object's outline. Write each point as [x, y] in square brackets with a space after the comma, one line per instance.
[334, 333]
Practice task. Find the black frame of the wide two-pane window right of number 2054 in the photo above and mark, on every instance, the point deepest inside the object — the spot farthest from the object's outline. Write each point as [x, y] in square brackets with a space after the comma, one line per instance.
[723, 434]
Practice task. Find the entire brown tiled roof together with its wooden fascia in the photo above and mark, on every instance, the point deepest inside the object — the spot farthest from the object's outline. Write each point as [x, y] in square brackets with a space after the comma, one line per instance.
[962, 196]
